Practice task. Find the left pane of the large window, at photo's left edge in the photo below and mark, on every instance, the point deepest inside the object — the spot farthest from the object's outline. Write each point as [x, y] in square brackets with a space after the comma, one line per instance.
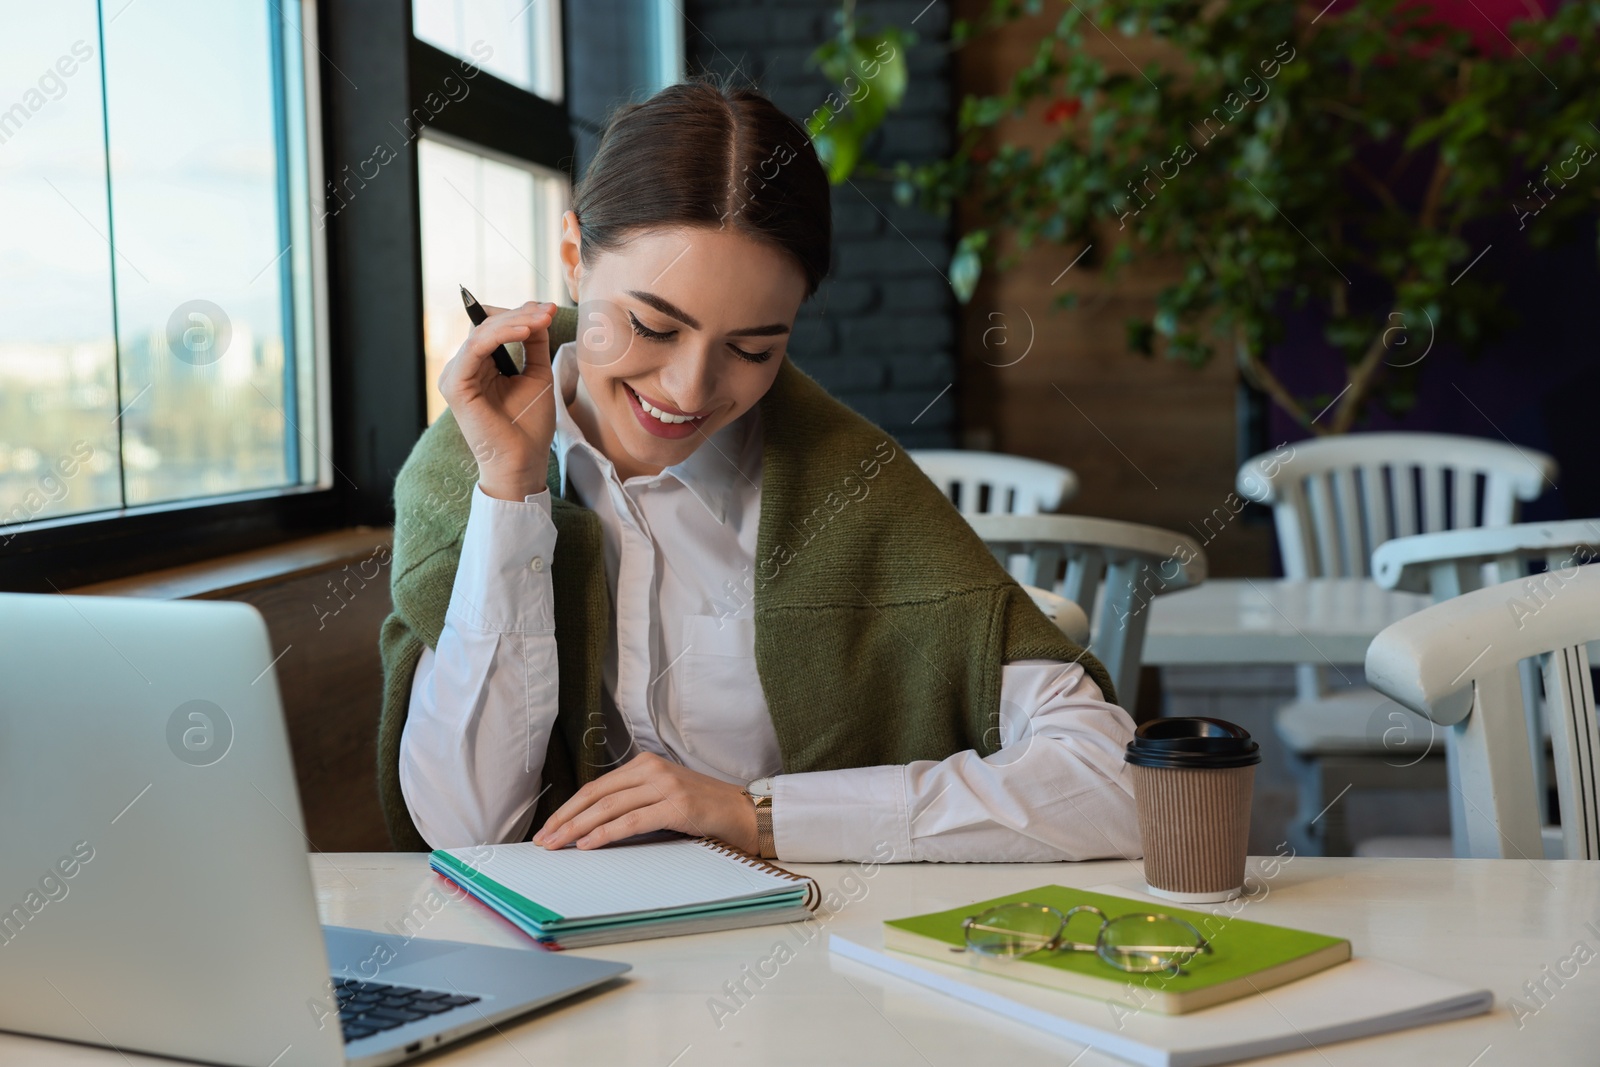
[58, 366]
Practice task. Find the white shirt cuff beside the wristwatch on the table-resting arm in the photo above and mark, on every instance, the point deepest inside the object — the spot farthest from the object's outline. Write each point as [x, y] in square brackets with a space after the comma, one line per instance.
[825, 817]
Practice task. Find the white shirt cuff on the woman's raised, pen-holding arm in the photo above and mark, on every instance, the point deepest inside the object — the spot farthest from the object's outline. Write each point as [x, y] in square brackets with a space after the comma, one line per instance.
[503, 577]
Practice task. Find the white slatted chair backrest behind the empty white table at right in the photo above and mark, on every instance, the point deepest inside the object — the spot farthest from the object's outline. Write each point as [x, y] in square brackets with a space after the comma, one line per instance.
[1335, 500]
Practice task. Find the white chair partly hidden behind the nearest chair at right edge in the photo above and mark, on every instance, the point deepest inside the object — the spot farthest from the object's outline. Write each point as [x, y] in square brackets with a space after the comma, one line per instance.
[1462, 561]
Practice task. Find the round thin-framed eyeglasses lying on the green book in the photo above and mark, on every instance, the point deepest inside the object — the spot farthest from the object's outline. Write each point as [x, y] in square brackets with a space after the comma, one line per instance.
[1138, 941]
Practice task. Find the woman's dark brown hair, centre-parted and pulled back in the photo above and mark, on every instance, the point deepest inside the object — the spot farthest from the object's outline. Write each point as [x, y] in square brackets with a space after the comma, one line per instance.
[708, 154]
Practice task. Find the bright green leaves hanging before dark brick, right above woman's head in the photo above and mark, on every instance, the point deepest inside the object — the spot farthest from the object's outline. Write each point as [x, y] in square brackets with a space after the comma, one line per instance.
[870, 73]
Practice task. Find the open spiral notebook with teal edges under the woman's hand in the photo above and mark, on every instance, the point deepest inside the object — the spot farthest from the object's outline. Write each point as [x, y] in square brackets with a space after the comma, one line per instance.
[655, 889]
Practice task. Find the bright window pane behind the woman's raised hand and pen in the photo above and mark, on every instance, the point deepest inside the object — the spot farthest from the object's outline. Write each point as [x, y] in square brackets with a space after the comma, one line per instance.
[487, 225]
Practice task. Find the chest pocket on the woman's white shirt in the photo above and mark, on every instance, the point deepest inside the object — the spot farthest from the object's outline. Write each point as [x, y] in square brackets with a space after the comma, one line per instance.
[721, 709]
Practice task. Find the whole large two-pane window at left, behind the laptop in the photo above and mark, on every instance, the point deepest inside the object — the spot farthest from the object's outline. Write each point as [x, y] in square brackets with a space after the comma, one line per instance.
[159, 268]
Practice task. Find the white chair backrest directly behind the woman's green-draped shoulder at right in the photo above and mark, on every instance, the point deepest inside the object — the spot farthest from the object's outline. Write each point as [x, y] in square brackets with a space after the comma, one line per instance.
[1110, 569]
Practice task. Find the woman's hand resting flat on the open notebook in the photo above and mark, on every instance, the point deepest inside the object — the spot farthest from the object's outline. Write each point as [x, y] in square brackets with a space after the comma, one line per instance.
[652, 794]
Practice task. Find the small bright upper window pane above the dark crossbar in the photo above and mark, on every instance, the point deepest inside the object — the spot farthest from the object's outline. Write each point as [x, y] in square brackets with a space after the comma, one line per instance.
[516, 41]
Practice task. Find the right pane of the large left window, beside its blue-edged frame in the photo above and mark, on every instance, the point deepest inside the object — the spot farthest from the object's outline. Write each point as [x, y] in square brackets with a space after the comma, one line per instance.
[201, 282]
